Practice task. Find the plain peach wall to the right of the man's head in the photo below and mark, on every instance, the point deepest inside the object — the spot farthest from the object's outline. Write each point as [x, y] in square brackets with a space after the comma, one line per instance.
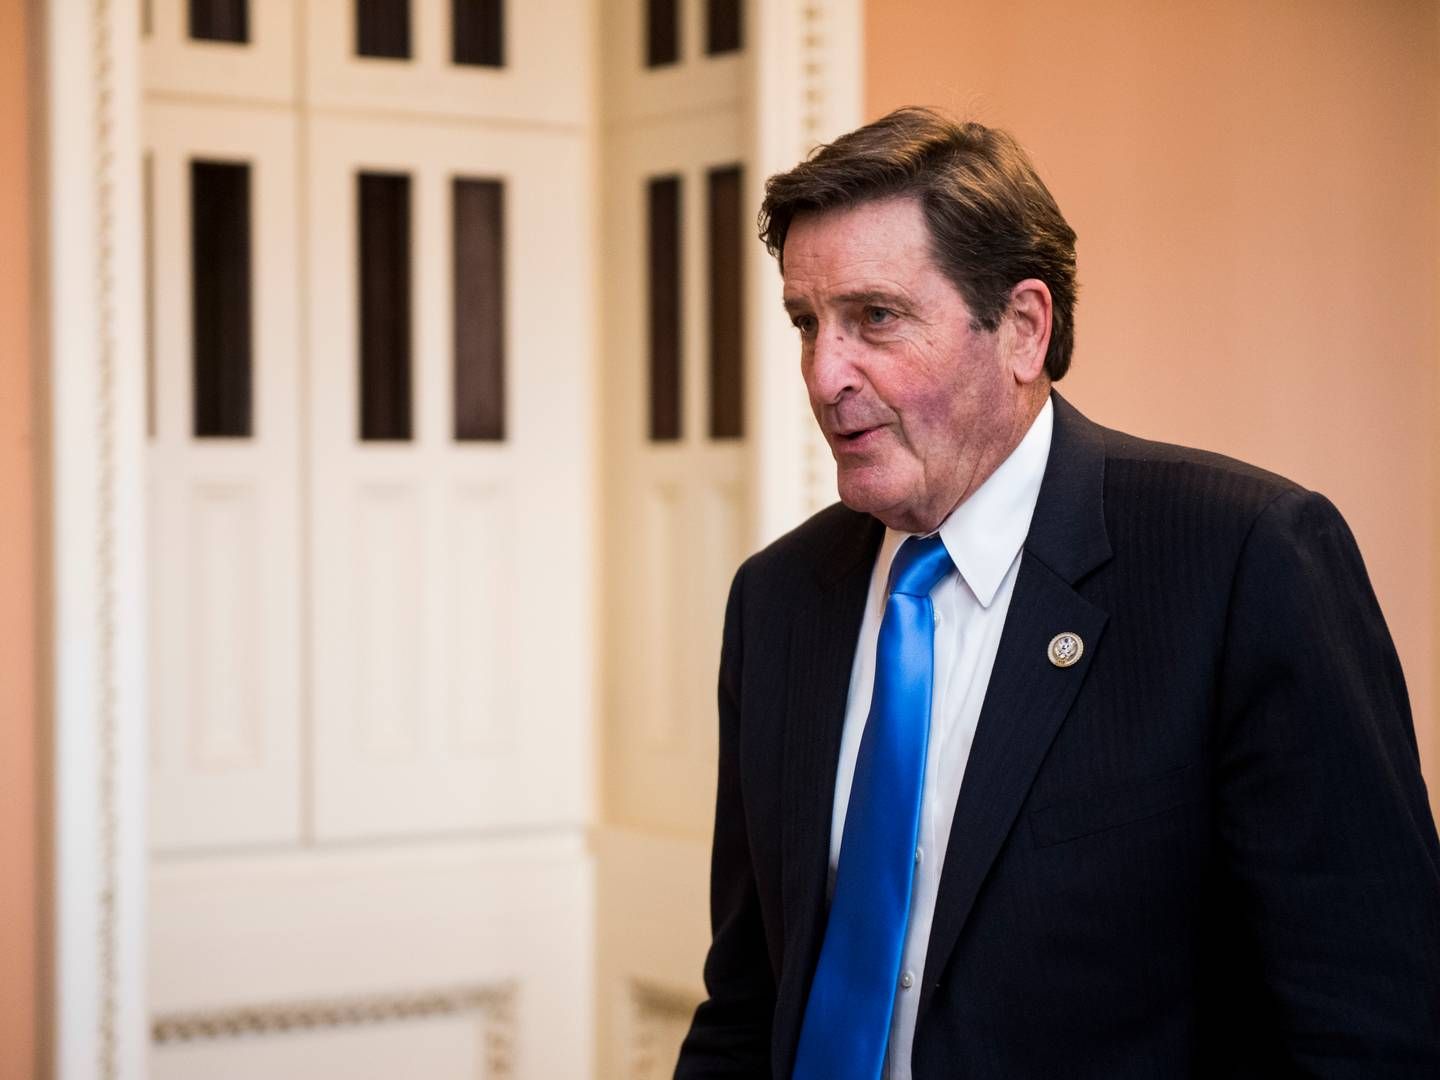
[1255, 188]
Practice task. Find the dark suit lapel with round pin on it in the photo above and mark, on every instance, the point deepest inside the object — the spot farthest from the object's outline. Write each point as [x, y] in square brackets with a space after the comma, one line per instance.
[1027, 698]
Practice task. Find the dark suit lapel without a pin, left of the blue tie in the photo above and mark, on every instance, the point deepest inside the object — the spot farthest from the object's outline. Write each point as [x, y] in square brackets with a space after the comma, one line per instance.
[823, 649]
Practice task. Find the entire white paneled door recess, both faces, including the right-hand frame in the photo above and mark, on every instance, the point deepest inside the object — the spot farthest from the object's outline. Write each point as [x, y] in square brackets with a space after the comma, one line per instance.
[404, 607]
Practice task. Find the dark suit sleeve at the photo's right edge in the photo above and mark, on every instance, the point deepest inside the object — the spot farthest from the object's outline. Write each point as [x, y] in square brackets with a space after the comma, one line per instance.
[1327, 836]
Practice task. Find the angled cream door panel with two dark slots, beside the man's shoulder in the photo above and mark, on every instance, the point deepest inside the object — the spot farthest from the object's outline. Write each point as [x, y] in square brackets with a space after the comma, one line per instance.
[680, 506]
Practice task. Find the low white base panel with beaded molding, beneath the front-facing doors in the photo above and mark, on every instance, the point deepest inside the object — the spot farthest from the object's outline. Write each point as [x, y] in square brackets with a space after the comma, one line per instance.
[470, 955]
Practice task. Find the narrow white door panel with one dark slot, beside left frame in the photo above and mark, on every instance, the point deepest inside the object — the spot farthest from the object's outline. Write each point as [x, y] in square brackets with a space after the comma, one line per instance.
[224, 512]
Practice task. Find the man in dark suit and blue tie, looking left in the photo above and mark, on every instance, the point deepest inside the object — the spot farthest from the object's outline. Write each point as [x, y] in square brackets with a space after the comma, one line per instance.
[1053, 752]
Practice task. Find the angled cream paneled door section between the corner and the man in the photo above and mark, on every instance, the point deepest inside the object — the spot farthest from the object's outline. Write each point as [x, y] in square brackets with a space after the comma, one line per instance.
[679, 493]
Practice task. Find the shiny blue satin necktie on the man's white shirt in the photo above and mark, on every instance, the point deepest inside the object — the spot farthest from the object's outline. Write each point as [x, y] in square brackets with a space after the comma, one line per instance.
[847, 1016]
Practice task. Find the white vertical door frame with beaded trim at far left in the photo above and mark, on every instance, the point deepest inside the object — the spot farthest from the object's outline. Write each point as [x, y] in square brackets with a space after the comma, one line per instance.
[91, 296]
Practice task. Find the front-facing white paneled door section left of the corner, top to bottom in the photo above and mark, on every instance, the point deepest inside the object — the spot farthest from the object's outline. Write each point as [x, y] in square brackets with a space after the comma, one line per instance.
[372, 500]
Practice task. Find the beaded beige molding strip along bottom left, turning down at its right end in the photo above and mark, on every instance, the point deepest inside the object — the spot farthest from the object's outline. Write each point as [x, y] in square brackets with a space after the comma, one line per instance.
[495, 1004]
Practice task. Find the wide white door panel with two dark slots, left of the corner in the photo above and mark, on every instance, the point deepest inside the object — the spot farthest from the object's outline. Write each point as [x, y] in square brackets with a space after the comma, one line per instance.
[450, 575]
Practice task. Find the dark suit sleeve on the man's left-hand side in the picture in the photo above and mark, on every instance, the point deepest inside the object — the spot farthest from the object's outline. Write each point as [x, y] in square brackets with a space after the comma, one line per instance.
[731, 1033]
